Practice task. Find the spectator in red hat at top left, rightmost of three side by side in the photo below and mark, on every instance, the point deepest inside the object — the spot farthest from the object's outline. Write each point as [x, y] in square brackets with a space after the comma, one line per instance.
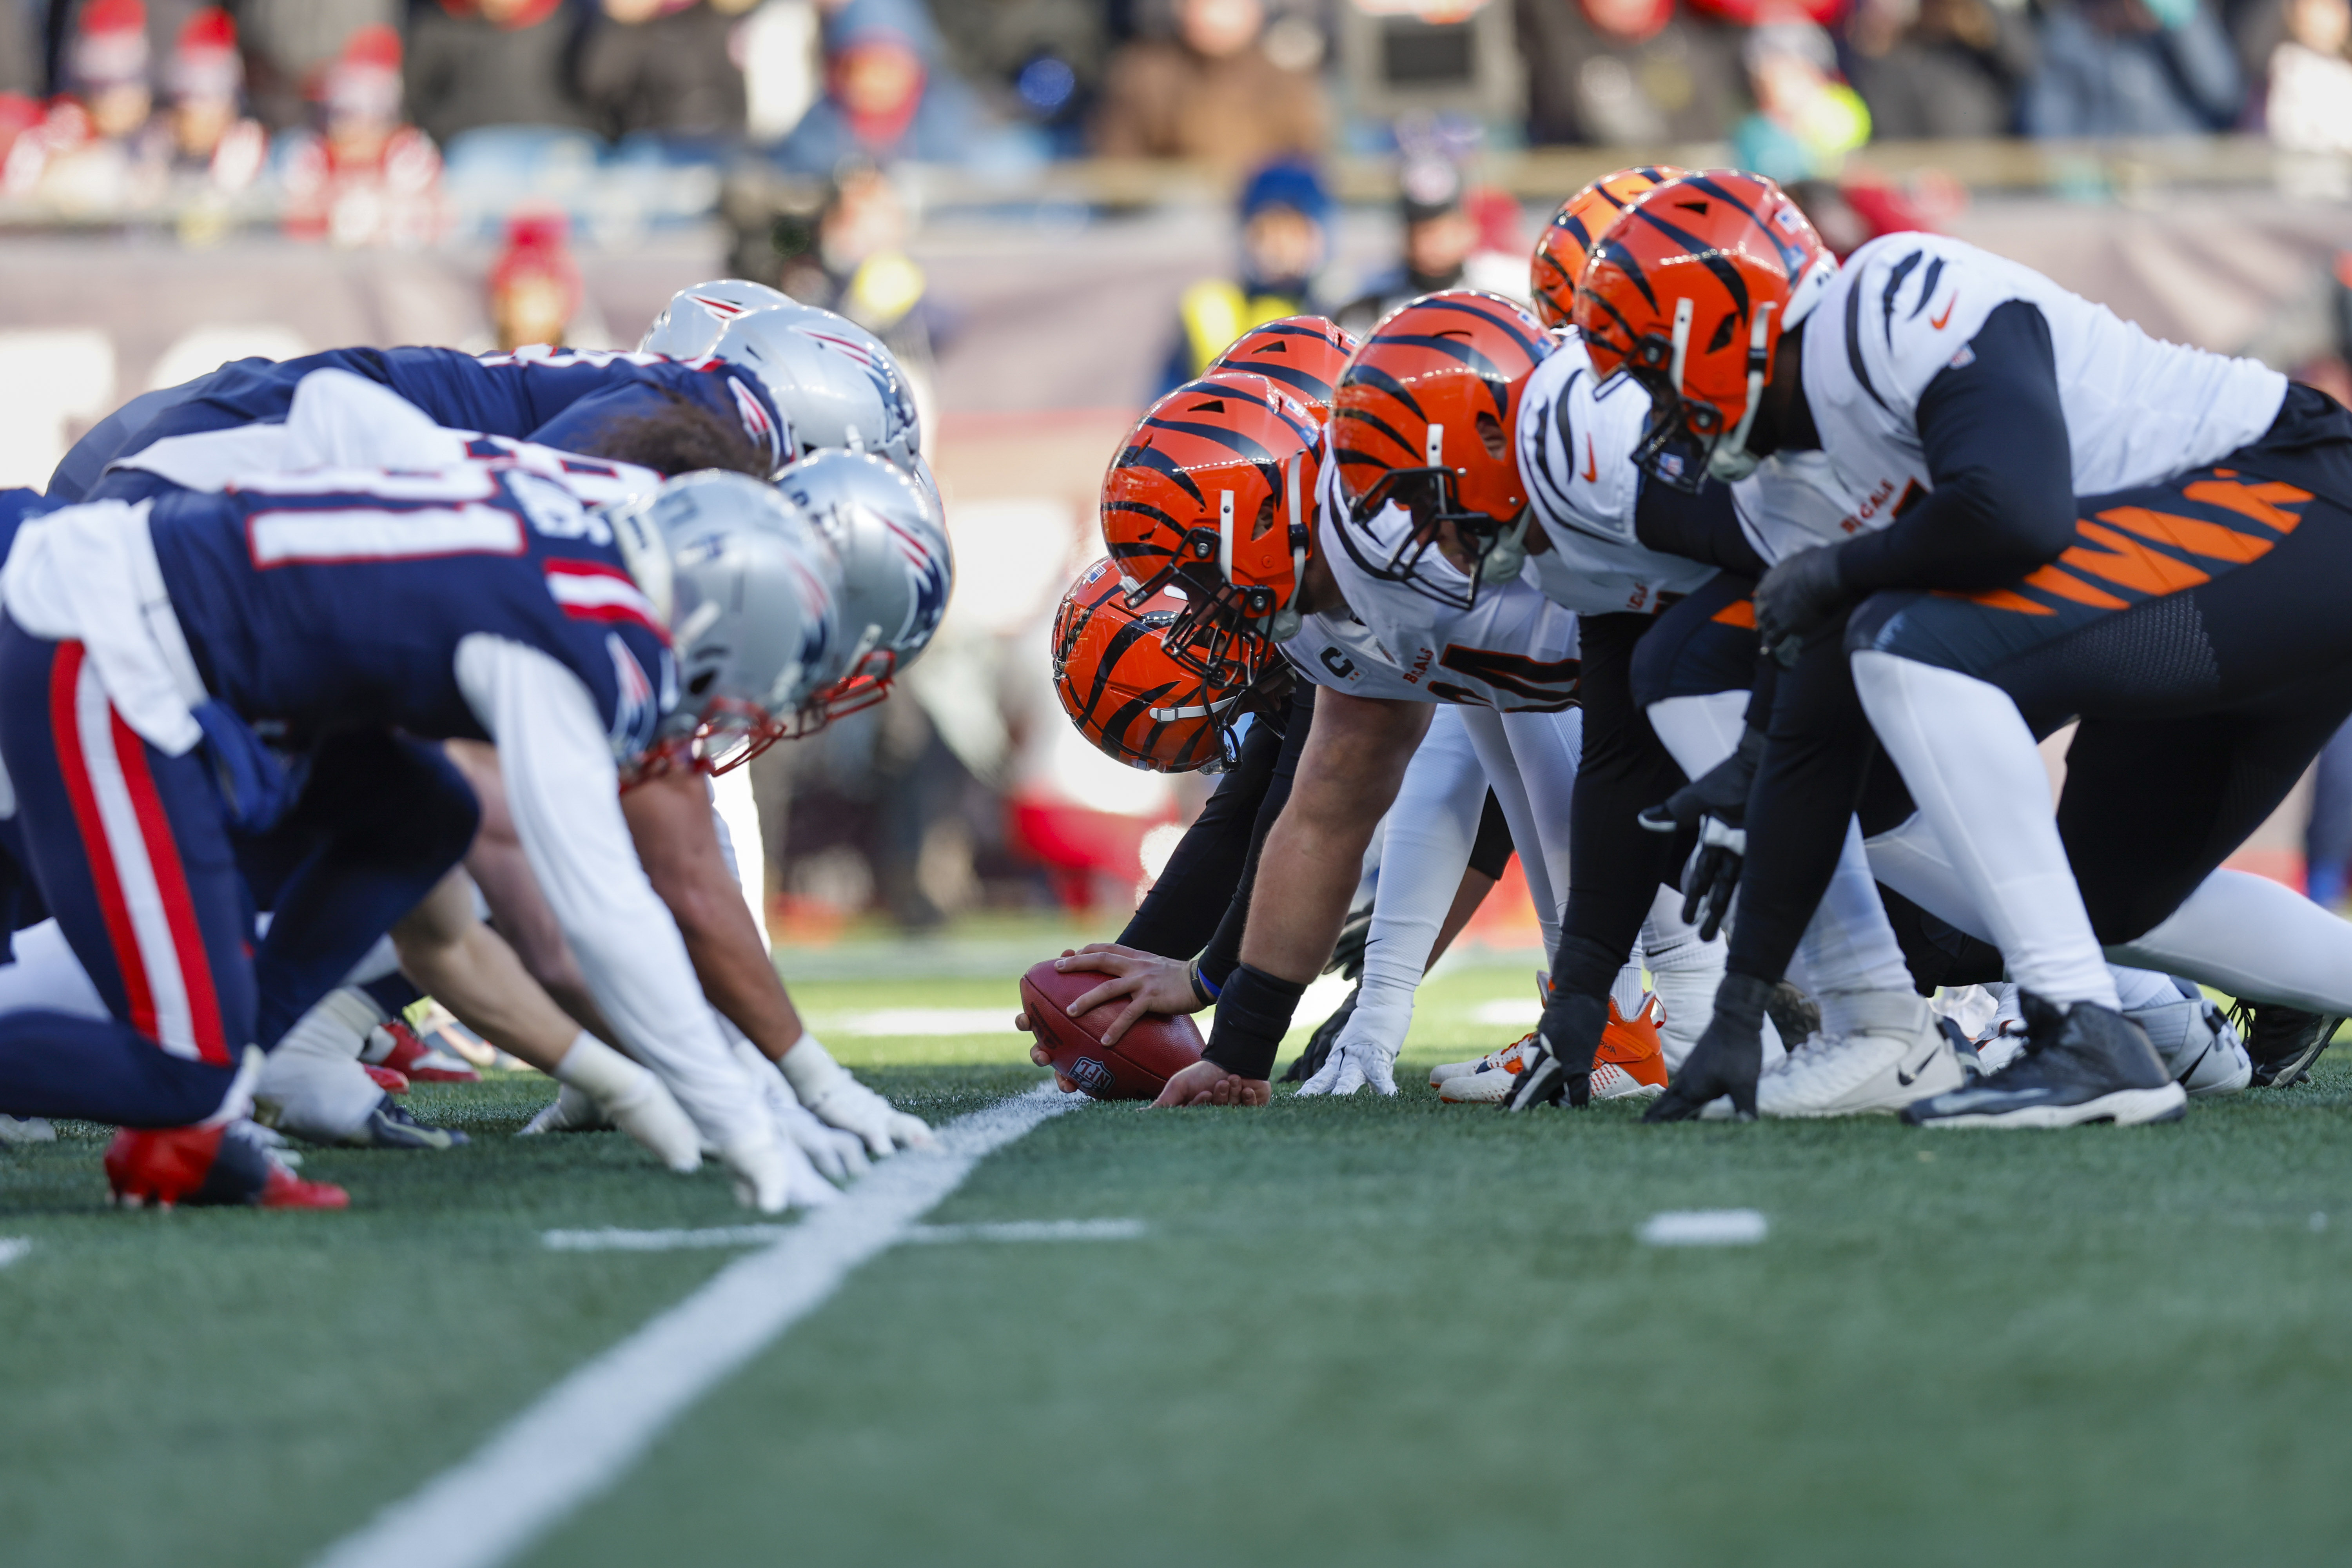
[363, 177]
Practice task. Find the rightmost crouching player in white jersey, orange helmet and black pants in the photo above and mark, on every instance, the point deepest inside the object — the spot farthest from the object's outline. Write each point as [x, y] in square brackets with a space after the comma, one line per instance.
[2052, 516]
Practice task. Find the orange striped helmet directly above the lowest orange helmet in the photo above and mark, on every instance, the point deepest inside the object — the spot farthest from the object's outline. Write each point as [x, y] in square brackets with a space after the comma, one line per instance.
[1215, 495]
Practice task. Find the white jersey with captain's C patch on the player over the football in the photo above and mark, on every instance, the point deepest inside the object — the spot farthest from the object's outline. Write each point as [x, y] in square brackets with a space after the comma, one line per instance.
[1511, 650]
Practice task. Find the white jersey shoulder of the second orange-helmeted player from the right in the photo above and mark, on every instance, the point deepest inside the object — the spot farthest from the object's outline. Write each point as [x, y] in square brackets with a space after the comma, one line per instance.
[1577, 441]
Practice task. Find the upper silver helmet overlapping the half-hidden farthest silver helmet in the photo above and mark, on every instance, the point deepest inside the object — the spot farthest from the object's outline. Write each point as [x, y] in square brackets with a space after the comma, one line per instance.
[831, 380]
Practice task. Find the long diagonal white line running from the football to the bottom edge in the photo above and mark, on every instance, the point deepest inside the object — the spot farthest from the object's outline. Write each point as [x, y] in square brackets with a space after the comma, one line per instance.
[596, 1423]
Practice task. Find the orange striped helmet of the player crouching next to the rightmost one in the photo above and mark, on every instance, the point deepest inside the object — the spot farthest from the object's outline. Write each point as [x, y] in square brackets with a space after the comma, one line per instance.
[1426, 420]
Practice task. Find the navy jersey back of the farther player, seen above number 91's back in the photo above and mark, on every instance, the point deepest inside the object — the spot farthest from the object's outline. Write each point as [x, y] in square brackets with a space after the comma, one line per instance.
[556, 398]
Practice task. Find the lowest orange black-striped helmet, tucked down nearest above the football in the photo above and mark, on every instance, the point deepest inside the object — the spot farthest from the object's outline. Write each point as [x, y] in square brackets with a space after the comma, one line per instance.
[1121, 688]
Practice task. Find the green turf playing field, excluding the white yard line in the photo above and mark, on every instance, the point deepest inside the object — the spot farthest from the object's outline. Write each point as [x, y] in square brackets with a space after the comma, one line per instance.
[1363, 1332]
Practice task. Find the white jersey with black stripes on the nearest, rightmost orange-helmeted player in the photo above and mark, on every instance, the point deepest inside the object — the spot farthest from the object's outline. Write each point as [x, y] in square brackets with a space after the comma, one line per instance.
[1904, 309]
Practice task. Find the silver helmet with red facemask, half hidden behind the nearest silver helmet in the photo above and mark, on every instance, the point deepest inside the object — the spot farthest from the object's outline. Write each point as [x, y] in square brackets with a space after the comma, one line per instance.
[897, 570]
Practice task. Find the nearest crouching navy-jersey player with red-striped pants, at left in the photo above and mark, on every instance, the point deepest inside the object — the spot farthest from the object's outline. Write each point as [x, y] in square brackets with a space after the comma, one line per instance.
[211, 681]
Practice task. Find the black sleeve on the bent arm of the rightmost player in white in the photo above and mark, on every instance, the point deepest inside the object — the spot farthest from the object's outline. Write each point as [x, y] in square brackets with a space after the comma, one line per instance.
[2005, 471]
